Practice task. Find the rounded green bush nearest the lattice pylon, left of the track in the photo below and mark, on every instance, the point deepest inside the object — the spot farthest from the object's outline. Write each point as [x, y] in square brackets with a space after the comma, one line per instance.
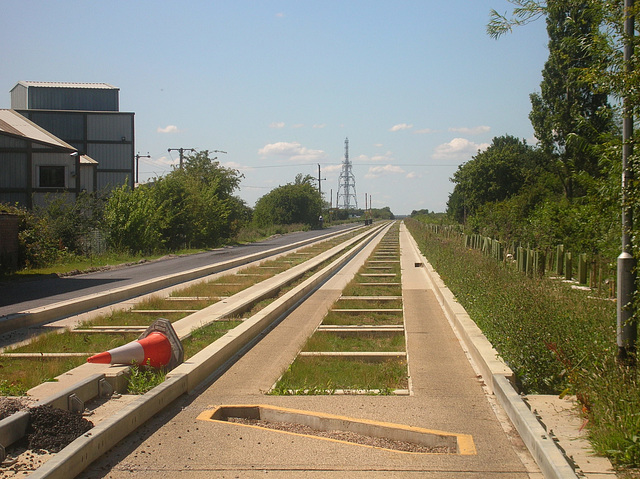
[297, 202]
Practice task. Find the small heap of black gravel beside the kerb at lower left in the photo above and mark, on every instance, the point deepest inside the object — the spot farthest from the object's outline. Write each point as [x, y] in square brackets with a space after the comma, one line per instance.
[52, 429]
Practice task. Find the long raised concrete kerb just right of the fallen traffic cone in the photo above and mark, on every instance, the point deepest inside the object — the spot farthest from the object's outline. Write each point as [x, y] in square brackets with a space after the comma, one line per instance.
[84, 450]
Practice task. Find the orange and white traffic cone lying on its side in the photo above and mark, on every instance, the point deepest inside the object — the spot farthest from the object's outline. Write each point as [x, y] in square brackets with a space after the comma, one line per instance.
[157, 347]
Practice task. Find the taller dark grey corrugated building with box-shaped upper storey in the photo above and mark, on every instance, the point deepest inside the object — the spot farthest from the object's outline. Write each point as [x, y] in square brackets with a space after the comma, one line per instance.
[87, 116]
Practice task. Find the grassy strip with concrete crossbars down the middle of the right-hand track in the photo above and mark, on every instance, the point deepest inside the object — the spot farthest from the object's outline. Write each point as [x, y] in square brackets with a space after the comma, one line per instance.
[360, 347]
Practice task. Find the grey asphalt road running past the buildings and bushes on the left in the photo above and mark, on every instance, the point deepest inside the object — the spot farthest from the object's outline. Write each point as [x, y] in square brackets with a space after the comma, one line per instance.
[25, 295]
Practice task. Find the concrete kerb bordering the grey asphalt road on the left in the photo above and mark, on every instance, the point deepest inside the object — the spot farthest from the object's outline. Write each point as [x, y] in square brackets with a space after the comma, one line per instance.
[62, 309]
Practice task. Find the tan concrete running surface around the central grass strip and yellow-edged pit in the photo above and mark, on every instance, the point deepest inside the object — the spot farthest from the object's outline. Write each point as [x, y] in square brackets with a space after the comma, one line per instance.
[446, 395]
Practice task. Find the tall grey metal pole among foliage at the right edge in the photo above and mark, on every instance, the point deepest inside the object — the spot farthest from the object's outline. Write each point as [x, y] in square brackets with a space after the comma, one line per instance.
[627, 328]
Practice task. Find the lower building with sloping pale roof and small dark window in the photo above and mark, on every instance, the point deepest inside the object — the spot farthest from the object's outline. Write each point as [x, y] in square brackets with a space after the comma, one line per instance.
[34, 163]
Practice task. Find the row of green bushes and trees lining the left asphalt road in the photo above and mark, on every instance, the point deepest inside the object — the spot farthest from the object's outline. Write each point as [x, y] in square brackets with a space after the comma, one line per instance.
[195, 206]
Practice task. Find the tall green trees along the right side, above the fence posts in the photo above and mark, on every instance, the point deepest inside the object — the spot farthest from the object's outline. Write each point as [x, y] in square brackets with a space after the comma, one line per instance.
[566, 188]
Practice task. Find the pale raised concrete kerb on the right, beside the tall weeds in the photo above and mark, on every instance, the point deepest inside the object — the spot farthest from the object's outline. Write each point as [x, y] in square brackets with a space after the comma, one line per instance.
[499, 380]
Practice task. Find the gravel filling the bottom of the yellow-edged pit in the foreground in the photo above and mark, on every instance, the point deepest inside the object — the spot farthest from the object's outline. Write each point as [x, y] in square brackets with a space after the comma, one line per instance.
[346, 436]
